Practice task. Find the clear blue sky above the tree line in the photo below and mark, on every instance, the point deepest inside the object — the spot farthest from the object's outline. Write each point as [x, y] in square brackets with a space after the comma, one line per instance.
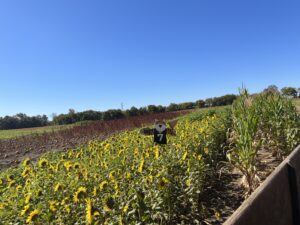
[59, 54]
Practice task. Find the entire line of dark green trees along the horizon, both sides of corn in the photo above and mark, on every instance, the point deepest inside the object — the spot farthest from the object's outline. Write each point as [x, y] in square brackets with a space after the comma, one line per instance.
[21, 120]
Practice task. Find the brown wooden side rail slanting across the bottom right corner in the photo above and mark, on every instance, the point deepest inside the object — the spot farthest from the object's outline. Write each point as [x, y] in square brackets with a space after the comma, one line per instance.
[277, 200]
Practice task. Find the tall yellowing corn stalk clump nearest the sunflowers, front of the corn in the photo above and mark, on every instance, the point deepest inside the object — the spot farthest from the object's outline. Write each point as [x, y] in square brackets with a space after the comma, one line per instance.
[245, 139]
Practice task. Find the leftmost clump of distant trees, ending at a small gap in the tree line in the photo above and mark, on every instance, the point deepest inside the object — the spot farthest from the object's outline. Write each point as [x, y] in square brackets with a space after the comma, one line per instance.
[21, 120]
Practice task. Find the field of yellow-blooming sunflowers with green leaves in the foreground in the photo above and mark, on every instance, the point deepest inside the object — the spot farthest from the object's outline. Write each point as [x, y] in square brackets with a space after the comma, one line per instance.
[125, 179]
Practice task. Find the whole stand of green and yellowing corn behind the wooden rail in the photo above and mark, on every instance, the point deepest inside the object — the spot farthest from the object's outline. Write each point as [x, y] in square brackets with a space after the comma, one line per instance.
[265, 122]
